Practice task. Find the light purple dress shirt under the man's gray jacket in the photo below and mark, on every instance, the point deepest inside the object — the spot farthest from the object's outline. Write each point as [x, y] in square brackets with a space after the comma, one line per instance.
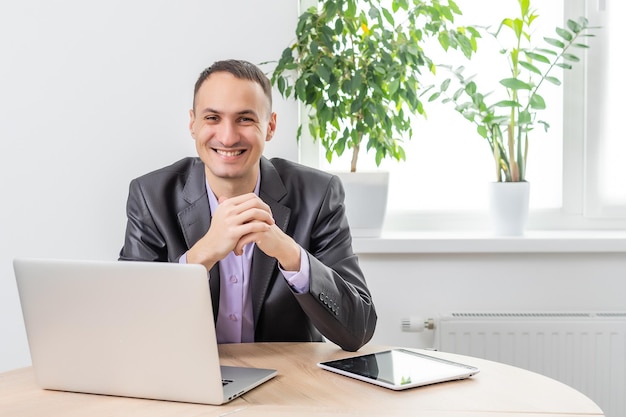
[235, 321]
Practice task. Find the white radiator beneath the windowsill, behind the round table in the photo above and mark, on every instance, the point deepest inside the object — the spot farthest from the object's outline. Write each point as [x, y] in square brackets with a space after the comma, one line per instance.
[586, 351]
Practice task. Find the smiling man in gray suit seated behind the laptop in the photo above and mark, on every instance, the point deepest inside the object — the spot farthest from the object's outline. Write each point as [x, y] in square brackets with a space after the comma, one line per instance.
[272, 233]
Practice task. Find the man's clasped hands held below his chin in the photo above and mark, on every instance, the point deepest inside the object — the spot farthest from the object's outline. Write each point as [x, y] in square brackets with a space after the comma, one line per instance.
[241, 220]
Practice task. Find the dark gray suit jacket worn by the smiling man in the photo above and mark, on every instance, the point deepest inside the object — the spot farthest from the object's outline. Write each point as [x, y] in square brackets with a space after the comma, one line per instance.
[168, 211]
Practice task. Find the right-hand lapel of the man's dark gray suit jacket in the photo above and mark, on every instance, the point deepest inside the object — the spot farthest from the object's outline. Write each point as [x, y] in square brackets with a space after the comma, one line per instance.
[272, 190]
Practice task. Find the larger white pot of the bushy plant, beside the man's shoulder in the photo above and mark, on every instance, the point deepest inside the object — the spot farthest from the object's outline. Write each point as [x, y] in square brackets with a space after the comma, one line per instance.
[366, 201]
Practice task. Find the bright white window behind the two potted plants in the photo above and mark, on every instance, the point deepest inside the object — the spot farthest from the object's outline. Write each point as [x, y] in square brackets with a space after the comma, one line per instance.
[574, 168]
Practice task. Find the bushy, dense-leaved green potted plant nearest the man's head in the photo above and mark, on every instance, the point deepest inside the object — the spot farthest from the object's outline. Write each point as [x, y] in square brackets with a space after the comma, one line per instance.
[356, 65]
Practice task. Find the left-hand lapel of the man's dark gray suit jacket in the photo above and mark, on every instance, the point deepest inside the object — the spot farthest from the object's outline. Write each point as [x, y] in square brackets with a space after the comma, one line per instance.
[195, 220]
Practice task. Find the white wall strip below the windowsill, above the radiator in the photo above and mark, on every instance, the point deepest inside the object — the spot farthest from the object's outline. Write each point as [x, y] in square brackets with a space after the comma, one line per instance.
[426, 285]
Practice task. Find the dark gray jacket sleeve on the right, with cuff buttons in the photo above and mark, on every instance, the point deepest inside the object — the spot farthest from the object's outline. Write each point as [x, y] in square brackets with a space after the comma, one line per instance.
[338, 302]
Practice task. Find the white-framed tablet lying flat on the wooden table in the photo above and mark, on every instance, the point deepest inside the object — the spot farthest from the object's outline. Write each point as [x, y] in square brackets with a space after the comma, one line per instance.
[399, 369]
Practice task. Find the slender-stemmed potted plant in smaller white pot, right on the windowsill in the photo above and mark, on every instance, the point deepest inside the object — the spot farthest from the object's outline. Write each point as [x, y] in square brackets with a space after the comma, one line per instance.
[506, 120]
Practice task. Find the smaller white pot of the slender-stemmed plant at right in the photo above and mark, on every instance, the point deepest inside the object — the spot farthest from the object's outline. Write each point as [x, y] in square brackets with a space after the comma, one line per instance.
[508, 204]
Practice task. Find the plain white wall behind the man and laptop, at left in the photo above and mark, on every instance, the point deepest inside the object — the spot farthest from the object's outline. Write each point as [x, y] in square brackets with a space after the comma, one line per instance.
[93, 94]
